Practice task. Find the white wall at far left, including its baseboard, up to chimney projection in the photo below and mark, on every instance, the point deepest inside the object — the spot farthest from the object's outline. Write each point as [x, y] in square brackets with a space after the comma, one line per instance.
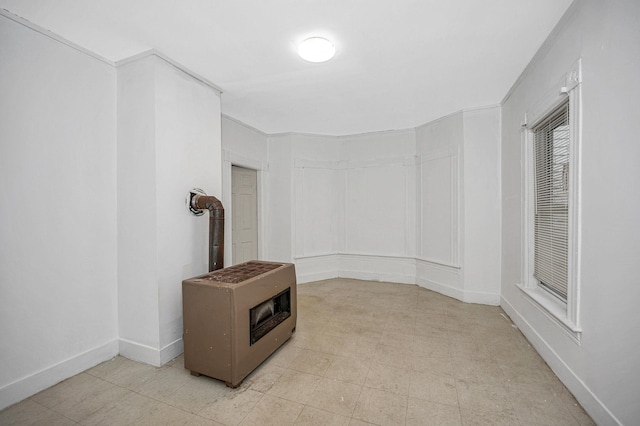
[58, 245]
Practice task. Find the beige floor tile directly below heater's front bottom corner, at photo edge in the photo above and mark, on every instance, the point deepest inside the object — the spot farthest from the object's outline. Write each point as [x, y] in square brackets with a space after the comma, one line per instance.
[232, 408]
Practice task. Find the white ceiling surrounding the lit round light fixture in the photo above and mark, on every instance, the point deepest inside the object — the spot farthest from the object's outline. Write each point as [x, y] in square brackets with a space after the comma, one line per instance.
[399, 63]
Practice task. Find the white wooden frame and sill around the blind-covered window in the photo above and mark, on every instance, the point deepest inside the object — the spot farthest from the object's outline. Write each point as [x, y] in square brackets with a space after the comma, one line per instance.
[565, 314]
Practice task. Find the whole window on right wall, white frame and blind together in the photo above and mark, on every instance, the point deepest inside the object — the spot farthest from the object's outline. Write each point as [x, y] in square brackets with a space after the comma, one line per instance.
[551, 213]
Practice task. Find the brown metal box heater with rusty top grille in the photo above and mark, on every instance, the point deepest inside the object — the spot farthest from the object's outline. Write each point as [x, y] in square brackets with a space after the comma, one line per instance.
[235, 317]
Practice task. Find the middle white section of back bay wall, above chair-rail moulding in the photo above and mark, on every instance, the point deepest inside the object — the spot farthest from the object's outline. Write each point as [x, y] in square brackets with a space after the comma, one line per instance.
[379, 205]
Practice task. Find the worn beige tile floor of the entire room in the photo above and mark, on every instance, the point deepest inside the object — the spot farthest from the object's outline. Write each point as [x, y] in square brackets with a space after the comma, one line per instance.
[363, 353]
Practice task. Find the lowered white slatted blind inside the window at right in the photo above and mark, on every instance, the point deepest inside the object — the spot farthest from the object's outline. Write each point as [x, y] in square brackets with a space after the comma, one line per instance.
[551, 165]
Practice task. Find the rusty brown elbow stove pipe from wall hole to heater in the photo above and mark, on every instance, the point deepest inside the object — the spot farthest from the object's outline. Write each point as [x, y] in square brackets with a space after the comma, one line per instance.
[197, 201]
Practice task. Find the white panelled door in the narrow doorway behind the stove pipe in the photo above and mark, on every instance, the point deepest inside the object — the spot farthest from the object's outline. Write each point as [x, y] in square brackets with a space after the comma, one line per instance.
[244, 232]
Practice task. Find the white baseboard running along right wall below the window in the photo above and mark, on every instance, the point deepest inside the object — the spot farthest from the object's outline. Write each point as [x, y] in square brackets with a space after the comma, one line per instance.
[590, 402]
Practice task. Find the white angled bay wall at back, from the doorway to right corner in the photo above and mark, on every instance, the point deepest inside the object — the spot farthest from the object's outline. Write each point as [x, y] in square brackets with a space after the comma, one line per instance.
[388, 206]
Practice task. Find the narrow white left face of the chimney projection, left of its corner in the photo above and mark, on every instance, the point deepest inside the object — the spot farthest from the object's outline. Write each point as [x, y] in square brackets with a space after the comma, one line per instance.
[138, 321]
